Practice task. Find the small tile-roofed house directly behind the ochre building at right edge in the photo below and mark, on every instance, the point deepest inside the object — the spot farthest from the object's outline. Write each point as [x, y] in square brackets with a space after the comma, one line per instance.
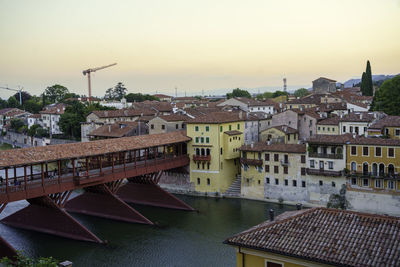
[388, 126]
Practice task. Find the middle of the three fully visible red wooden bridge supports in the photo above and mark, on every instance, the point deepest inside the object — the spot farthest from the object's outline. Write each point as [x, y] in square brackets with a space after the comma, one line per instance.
[100, 201]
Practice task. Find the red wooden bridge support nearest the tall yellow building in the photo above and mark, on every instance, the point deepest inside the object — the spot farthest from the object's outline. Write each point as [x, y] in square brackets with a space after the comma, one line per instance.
[145, 190]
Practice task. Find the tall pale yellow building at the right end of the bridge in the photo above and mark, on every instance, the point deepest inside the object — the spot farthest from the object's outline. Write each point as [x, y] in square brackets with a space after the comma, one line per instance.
[214, 150]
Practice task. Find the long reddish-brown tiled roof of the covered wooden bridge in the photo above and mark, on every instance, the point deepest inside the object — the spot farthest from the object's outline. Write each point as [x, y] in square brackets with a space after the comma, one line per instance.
[35, 155]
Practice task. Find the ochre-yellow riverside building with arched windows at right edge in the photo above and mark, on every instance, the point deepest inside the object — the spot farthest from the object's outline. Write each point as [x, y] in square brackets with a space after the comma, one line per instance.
[373, 163]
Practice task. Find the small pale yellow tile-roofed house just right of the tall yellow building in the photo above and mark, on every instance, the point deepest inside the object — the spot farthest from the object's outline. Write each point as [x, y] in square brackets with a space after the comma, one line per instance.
[280, 134]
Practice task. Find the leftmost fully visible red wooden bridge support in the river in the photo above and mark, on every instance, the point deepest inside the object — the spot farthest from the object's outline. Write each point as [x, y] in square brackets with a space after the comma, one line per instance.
[45, 214]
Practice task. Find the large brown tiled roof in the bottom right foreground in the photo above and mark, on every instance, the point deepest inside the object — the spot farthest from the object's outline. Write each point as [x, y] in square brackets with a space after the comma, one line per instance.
[329, 236]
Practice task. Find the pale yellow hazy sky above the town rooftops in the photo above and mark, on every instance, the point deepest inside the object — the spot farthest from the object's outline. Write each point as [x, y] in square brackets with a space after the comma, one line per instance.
[210, 45]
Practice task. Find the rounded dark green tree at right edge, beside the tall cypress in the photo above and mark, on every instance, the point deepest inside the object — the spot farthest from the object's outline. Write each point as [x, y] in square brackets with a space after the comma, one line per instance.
[387, 97]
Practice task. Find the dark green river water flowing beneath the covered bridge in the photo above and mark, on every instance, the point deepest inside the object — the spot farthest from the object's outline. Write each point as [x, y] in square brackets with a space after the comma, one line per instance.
[181, 238]
